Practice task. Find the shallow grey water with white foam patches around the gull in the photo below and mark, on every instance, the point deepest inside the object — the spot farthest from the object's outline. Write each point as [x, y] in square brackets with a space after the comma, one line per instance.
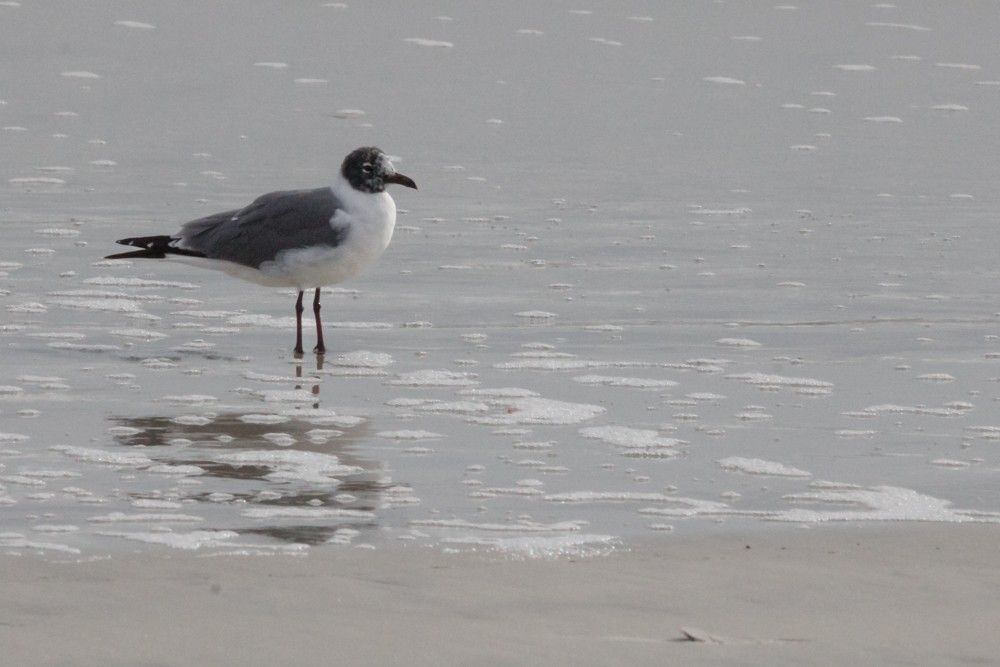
[670, 269]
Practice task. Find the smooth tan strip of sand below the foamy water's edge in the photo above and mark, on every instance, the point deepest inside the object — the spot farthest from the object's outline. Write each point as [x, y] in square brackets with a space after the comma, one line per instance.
[875, 595]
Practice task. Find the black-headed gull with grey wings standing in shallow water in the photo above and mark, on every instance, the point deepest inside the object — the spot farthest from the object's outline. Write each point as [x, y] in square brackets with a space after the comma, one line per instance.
[294, 238]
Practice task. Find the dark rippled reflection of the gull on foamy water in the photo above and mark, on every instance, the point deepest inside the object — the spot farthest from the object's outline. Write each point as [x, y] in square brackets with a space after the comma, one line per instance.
[216, 443]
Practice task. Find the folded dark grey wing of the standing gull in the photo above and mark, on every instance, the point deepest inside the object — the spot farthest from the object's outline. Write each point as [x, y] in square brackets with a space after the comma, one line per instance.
[274, 222]
